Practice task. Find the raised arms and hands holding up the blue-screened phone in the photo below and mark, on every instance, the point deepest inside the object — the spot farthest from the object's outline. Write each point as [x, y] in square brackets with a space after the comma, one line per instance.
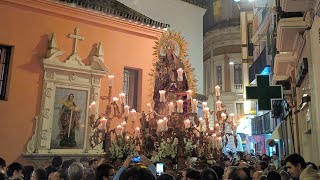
[128, 162]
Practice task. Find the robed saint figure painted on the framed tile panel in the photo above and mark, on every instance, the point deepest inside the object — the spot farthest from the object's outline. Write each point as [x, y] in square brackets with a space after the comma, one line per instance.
[70, 120]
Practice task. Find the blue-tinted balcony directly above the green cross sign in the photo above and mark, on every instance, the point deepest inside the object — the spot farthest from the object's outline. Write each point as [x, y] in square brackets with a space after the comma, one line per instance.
[258, 65]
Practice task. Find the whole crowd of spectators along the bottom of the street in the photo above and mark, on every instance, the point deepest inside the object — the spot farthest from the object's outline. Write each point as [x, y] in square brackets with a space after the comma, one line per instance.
[234, 167]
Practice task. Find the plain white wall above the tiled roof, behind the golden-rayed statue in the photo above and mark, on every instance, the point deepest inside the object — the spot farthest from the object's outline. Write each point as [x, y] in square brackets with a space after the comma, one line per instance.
[182, 17]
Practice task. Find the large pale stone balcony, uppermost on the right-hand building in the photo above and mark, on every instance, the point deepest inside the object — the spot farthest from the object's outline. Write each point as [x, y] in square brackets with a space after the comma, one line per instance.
[289, 27]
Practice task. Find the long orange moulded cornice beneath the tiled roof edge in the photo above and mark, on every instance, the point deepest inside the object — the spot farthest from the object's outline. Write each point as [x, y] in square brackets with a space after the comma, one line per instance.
[57, 8]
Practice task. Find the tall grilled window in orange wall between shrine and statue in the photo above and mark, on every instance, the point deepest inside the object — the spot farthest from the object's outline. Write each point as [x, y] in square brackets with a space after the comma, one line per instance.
[130, 87]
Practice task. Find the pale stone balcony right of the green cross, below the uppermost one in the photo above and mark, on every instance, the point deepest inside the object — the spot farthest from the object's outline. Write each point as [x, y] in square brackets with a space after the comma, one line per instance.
[283, 65]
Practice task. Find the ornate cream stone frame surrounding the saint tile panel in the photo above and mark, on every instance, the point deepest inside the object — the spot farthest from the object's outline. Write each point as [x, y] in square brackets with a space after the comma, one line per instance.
[73, 74]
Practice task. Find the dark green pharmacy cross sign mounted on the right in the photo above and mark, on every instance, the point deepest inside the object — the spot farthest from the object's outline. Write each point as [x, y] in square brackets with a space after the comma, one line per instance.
[263, 92]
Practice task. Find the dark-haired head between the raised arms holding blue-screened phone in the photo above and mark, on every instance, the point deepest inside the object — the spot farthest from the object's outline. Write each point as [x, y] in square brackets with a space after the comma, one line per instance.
[137, 173]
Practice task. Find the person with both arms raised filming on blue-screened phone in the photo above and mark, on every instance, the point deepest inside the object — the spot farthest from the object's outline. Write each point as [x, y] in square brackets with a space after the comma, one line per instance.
[136, 167]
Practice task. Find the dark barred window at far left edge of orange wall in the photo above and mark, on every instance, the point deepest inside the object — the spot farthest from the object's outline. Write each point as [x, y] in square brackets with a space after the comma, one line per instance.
[5, 53]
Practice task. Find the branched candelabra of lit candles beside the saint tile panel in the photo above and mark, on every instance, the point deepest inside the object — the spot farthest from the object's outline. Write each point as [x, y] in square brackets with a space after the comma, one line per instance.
[115, 109]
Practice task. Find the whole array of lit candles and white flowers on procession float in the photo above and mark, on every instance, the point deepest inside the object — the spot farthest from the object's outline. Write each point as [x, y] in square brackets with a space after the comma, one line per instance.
[169, 131]
